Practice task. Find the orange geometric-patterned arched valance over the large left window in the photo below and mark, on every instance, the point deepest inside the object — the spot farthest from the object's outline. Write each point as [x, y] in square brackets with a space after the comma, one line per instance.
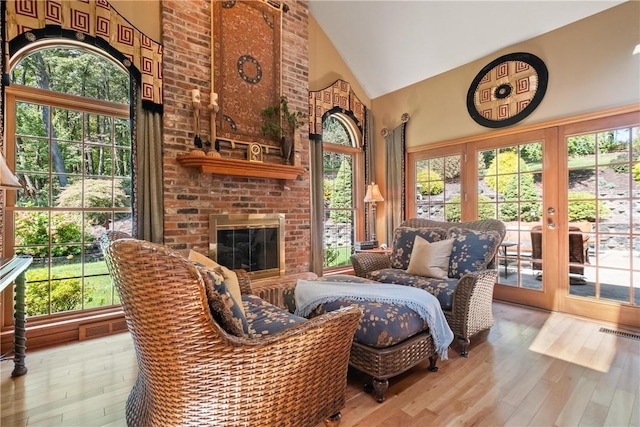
[93, 22]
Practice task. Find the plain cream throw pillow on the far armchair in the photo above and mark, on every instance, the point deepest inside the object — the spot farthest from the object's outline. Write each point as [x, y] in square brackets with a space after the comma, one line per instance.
[430, 259]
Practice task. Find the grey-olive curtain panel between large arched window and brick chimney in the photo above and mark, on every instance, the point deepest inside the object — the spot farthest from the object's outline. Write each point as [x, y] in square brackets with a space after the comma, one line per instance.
[148, 172]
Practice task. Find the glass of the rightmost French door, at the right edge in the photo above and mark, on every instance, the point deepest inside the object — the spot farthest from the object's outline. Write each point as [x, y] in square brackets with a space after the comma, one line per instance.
[604, 201]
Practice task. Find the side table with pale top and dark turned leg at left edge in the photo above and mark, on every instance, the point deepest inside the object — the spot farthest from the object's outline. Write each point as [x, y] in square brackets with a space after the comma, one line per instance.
[13, 271]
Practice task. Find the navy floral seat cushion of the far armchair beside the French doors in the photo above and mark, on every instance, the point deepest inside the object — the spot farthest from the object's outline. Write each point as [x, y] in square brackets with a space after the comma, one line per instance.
[440, 288]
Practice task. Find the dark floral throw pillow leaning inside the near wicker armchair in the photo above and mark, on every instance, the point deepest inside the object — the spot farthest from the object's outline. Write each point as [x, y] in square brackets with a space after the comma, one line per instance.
[225, 310]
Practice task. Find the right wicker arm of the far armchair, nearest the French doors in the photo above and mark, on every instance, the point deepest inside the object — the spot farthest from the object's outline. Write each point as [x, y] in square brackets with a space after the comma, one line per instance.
[472, 299]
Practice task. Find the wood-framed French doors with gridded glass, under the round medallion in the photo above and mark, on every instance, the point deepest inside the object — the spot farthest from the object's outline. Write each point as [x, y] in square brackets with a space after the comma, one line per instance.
[569, 195]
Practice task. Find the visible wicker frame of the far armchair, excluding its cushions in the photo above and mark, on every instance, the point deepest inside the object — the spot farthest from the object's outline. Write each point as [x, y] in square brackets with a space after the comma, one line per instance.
[471, 309]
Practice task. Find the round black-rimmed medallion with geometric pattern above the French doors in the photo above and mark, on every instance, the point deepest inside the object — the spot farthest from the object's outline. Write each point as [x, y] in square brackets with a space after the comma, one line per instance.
[507, 90]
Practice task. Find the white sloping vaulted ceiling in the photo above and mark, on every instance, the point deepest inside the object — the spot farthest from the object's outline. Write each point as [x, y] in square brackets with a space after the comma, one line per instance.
[389, 45]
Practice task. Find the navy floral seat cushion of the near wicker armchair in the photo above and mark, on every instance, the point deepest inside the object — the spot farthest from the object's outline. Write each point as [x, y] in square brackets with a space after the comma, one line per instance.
[266, 319]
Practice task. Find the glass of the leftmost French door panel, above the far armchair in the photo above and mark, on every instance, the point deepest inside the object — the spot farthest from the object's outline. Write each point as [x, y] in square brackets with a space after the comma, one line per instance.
[438, 188]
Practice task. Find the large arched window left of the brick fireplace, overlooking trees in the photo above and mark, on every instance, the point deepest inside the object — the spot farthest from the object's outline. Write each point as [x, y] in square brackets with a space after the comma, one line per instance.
[69, 129]
